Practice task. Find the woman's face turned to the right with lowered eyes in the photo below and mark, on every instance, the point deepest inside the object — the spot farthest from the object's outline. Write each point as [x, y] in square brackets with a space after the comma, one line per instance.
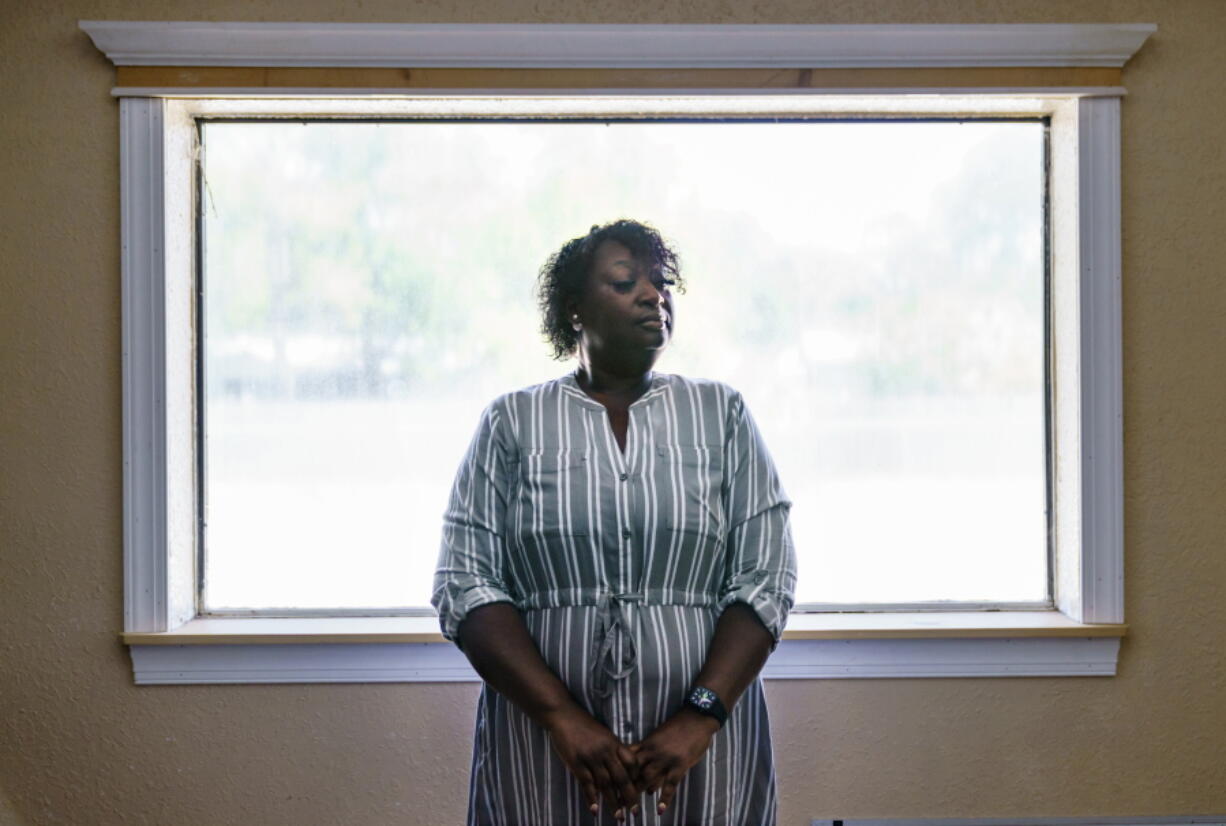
[627, 306]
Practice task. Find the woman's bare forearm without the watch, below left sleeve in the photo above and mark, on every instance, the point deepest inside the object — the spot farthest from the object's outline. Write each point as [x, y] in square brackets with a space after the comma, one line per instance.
[498, 645]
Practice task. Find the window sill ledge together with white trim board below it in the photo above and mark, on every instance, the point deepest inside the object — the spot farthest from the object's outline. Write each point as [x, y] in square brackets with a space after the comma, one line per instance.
[816, 646]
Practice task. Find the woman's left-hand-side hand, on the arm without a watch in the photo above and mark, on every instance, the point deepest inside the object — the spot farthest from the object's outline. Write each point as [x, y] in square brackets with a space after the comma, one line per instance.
[601, 763]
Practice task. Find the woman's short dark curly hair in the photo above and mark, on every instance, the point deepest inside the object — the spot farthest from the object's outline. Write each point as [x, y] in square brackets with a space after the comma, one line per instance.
[565, 275]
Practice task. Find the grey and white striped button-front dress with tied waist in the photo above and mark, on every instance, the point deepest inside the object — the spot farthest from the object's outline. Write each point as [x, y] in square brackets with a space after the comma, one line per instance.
[621, 564]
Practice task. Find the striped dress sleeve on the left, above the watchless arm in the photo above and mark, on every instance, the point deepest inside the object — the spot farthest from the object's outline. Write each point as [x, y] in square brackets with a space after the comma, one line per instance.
[473, 559]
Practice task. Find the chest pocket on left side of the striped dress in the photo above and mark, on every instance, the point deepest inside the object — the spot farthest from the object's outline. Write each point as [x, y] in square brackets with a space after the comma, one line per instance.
[554, 492]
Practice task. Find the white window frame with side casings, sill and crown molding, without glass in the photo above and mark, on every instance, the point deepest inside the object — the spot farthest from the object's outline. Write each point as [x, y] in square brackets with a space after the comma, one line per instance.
[170, 644]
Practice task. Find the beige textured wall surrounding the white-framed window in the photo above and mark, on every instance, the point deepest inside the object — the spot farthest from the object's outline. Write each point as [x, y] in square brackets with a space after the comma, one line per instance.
[80, 745]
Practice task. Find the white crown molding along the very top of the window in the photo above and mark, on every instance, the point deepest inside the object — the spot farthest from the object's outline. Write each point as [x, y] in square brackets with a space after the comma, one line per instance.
[144, 44]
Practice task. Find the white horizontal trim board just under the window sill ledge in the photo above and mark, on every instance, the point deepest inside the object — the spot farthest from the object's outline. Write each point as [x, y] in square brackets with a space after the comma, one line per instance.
[430, 662]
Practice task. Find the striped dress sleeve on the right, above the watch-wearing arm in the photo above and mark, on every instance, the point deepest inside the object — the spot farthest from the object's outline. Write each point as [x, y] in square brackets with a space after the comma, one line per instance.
[761, 563]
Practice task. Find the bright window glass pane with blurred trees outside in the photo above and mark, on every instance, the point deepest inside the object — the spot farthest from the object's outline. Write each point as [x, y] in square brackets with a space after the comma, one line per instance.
[876, 290]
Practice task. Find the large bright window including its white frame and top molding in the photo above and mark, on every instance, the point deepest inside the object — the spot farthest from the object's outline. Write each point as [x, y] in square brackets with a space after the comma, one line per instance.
[918, 290]
